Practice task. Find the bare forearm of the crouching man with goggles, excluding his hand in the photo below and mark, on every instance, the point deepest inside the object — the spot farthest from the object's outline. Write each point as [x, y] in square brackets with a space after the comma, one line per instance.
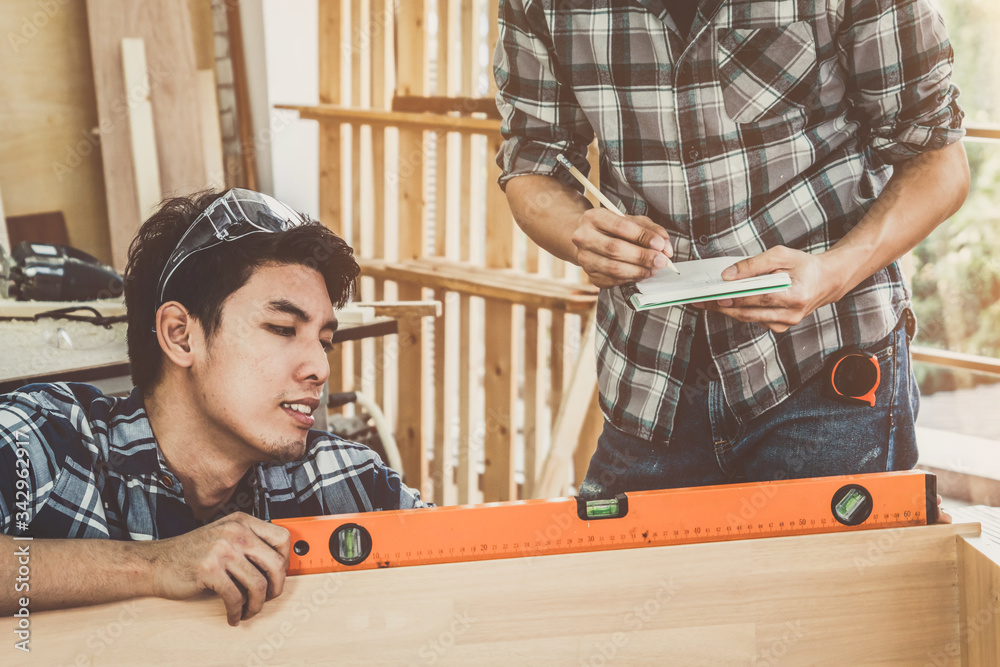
[55, 574]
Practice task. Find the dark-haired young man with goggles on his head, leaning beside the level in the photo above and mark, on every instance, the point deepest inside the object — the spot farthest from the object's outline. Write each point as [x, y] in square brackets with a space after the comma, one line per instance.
[169, 492]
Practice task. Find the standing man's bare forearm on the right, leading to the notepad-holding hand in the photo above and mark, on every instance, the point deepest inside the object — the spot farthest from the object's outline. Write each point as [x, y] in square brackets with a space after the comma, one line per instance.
[922, 193]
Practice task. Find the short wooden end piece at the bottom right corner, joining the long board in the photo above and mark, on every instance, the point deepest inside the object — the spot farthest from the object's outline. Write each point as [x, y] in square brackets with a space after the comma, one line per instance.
[979, 597]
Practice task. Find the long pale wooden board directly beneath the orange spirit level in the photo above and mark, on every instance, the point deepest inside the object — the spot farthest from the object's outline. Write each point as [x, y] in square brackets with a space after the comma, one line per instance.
[868, 597]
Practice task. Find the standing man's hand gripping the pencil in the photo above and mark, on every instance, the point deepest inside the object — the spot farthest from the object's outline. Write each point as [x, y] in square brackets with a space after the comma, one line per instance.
[615, 249]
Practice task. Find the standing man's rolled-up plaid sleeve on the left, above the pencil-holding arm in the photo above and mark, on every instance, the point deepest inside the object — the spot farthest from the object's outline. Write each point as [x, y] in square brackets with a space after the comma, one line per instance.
[541, 116]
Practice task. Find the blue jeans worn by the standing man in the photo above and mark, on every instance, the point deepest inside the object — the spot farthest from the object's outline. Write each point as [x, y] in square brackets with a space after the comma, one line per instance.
[807, 435]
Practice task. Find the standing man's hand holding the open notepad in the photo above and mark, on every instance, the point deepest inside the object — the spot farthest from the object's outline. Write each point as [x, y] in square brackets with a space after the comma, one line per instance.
[815, 283]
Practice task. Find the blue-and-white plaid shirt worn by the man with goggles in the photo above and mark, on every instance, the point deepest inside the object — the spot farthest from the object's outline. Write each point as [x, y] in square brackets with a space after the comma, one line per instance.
[93, 470]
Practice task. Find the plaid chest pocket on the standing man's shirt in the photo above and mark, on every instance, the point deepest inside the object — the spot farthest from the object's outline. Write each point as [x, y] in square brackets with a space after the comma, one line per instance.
[766, 72]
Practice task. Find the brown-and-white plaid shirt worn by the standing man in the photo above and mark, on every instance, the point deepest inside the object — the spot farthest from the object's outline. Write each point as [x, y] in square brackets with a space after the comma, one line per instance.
[775, 123]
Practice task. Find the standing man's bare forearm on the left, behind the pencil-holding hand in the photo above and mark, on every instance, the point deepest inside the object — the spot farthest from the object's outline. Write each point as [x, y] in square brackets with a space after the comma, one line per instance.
[548, 211]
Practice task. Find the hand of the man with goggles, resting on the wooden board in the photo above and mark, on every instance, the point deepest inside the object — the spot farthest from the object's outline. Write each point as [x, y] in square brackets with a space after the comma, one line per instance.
[242, 559]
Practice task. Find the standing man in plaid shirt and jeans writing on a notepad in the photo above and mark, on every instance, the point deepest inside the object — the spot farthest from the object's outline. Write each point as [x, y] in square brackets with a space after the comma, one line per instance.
[817, 138]
